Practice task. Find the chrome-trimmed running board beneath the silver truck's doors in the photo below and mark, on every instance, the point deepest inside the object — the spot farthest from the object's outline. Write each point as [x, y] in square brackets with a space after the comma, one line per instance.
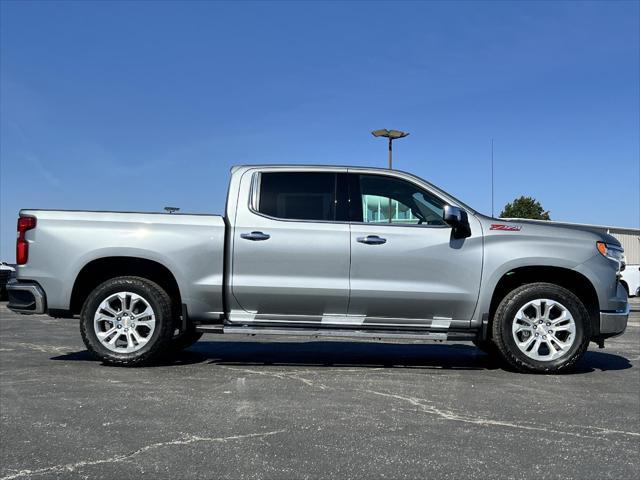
[345, 333]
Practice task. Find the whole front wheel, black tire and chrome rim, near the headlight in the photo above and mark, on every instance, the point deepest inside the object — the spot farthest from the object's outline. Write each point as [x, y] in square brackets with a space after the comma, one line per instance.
[541, 327]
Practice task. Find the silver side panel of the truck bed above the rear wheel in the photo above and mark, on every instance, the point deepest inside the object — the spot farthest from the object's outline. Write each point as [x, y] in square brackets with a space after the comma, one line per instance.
[189, 246]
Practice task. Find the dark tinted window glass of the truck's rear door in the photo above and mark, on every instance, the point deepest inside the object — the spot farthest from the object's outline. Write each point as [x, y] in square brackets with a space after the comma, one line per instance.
[298, 195]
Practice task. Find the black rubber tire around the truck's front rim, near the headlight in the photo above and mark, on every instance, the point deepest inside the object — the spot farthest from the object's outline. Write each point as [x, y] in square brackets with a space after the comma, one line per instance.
[505, 316]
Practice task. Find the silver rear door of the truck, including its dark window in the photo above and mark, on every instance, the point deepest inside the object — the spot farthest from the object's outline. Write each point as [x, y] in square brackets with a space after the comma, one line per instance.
[291, 248]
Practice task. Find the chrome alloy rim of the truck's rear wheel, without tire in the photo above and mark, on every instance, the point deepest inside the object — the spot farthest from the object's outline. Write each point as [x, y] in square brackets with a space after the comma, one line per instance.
[124, 322]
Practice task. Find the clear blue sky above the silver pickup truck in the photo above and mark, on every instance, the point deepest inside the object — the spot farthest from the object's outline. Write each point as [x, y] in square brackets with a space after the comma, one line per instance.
[139, 105]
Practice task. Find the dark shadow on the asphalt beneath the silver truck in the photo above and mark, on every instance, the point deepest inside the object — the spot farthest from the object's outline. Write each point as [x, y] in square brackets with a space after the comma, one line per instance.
[353, 354]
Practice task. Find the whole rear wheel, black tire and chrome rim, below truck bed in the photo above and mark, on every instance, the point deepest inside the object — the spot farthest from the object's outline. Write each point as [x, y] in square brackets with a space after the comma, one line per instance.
[127, 321]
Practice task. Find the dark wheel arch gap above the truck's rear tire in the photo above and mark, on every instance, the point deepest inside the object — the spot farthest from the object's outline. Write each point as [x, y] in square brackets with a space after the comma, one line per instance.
[102, 269]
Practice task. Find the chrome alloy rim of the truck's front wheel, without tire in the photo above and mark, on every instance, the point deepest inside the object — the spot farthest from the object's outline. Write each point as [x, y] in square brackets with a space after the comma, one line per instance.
[544, 329]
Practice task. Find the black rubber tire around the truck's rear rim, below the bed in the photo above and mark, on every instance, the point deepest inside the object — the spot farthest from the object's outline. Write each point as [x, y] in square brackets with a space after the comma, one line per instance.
[161, 337]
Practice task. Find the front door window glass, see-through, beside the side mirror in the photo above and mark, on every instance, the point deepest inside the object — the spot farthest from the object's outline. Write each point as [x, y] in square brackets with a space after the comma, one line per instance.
[390, 200]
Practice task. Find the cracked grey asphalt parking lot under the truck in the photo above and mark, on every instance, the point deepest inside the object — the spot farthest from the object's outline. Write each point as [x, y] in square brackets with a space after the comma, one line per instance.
[245, 407]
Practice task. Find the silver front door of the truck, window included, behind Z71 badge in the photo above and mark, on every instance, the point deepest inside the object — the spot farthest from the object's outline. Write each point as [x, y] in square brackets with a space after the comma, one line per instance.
[406, 268]
